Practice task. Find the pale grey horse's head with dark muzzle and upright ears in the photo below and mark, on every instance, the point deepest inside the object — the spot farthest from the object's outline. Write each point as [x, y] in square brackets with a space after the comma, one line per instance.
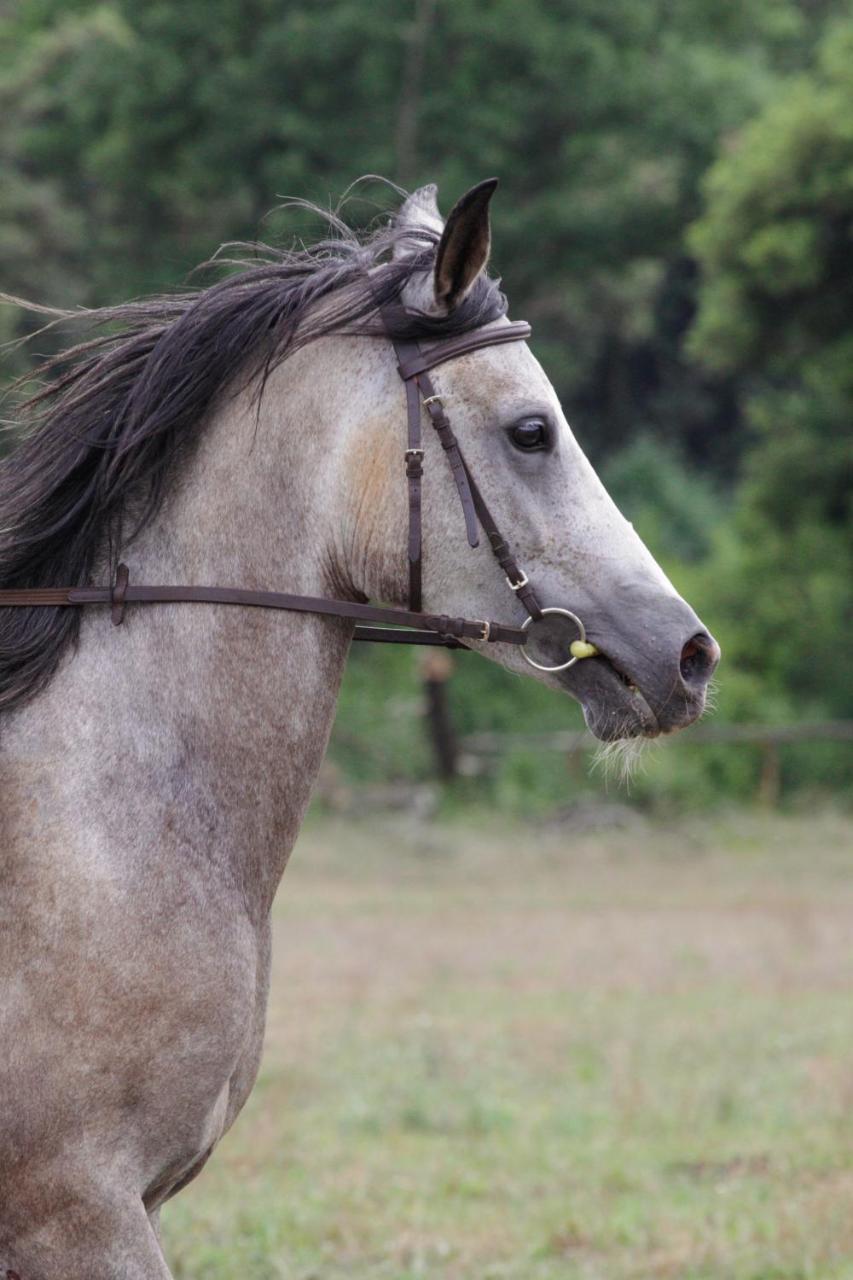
[653, 657]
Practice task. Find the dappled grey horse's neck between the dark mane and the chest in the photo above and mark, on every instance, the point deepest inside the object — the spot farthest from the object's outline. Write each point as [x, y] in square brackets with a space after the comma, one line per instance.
[197, 733]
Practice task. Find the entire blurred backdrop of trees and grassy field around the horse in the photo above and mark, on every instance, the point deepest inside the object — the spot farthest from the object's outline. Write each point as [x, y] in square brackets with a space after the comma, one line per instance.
[613, 1041]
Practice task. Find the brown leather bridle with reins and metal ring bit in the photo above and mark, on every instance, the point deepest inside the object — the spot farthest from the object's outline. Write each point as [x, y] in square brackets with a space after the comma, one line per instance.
[373, 623]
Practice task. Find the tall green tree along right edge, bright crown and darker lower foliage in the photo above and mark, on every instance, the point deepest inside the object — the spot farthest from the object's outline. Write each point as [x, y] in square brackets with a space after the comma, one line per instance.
[777, 249]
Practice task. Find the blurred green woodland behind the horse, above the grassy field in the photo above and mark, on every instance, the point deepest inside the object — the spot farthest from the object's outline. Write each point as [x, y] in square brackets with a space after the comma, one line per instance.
[676, 220]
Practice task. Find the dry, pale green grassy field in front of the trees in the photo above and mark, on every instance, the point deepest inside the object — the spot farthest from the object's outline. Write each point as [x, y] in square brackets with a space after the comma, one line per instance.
[503, 1054]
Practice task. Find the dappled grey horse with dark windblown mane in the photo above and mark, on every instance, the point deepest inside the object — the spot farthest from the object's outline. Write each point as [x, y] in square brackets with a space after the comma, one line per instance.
[154, 775]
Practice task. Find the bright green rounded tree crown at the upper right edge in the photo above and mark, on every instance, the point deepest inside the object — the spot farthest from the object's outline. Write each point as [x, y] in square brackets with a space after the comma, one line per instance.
[776, 239]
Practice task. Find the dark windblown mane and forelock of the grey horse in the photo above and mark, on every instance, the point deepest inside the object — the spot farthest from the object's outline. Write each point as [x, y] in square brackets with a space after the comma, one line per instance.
[116, 414]
